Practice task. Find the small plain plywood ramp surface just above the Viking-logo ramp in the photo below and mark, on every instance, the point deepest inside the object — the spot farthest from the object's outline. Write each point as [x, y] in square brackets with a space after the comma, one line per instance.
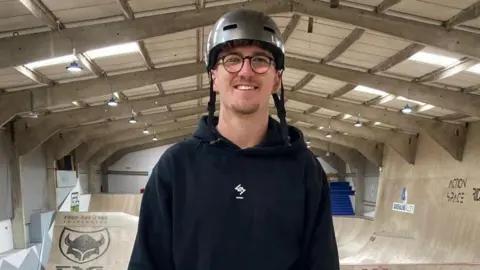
[126, 203]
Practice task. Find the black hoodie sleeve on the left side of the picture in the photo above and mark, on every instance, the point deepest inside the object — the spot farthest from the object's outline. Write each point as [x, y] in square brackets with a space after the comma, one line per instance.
[153, 245]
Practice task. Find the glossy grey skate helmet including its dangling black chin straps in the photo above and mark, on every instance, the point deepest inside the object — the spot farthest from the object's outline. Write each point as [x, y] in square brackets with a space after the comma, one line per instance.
[251, 25]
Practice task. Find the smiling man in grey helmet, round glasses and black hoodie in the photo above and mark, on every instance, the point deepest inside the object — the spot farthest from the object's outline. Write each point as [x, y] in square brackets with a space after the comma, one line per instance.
[244, 192]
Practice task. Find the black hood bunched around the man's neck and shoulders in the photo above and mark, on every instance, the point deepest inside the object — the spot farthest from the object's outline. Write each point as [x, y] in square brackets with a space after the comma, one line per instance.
[272, 144]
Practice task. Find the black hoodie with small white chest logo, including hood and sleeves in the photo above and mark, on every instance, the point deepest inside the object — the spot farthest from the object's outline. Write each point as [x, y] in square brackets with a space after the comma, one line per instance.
[210, 205]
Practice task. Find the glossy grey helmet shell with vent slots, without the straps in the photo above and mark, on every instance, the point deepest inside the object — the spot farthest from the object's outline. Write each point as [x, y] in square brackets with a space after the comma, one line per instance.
[245, 24]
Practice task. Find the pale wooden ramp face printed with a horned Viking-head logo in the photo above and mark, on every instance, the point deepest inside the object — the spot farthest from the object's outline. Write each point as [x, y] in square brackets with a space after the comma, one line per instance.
[92, 240]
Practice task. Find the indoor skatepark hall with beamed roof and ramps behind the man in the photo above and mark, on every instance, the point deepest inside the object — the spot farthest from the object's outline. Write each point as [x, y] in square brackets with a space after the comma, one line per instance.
[386, 93]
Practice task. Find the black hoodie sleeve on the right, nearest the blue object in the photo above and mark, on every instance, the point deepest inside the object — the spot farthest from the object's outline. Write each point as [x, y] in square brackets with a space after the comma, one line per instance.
[322, 252]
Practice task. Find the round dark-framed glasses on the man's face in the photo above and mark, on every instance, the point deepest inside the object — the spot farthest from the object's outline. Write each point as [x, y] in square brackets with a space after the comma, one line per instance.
[234, 63]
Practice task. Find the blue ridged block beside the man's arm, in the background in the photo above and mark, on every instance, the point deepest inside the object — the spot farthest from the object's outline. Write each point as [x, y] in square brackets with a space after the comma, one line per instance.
[341, 204]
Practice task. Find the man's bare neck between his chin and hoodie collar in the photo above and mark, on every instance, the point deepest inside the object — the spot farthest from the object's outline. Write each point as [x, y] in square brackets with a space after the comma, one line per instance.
[244, 131]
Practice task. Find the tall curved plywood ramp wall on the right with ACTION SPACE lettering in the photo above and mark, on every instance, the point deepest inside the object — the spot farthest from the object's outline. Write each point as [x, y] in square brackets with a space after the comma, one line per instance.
[438, 219]
